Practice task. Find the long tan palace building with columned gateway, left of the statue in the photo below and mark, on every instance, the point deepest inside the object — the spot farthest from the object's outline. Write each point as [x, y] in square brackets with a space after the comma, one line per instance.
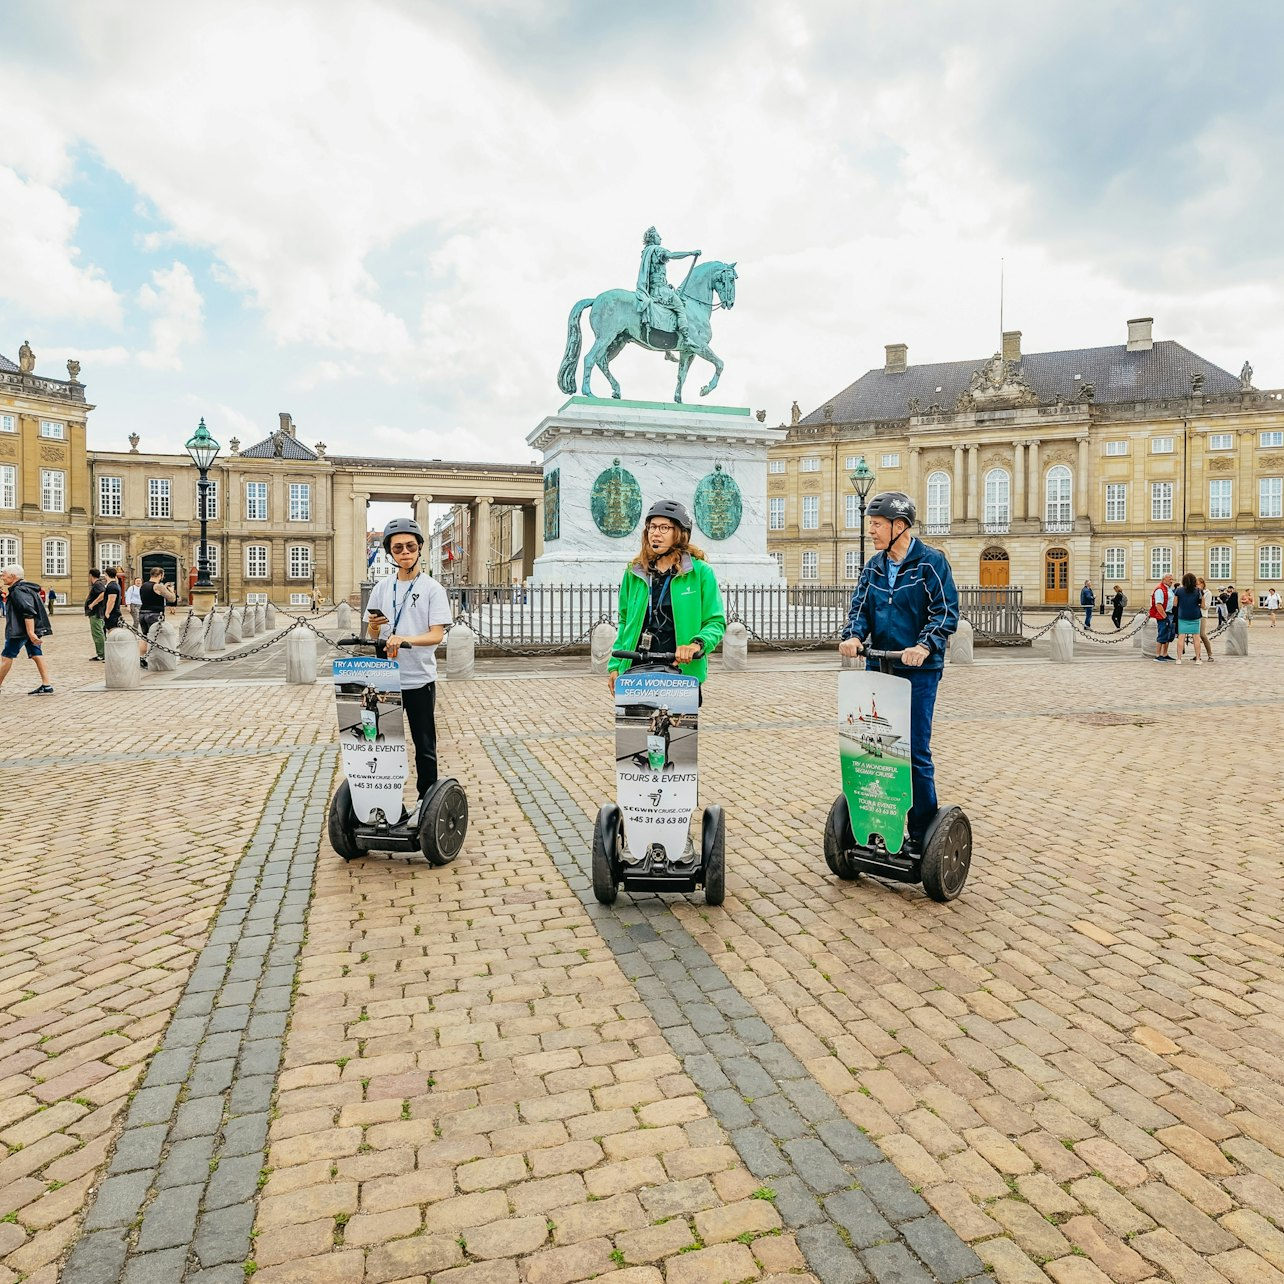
[286, 521]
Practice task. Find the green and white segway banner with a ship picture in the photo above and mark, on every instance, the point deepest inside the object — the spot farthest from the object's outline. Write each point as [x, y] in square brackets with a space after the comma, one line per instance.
[874, 745]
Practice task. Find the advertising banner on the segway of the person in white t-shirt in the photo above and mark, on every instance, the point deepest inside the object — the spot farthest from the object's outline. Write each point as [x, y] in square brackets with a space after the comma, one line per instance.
[372, 735]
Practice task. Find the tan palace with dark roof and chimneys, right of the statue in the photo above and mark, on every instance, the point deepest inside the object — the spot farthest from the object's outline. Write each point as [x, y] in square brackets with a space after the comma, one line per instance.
[1113, 465]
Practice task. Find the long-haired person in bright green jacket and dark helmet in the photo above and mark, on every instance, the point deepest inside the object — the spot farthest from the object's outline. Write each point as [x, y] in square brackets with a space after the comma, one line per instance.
[670, 596]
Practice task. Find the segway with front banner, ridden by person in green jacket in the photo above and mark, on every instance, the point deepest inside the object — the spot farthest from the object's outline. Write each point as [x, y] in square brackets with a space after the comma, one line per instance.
[643, 842]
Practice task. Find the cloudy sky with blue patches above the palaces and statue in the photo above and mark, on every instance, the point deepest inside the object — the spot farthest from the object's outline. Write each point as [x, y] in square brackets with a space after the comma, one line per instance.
[378, 216]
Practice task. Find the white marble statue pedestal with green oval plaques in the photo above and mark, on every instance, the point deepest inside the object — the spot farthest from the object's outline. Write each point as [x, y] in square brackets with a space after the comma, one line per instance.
[668, 450]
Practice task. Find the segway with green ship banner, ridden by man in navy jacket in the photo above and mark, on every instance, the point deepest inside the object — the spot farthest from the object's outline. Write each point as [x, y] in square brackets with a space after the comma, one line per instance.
[866, 830]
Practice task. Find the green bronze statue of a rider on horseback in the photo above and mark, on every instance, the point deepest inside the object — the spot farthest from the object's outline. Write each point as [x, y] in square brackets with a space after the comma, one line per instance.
[655, 317]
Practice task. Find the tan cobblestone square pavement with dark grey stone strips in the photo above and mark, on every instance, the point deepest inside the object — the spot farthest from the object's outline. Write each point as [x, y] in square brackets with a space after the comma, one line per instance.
[478, 1074]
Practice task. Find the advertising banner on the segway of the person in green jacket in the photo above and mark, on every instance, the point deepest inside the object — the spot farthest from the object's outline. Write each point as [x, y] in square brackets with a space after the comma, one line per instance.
[655, 762]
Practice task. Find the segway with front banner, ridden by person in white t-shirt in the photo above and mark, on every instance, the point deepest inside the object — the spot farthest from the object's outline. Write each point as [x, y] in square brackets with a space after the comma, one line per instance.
[367, 812]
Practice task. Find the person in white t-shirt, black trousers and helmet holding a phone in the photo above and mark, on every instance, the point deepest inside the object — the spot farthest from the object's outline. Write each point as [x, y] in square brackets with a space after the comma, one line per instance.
[410, 612]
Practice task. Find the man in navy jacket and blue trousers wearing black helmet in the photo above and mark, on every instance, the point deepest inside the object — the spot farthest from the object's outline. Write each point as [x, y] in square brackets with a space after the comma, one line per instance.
[906, 602]
